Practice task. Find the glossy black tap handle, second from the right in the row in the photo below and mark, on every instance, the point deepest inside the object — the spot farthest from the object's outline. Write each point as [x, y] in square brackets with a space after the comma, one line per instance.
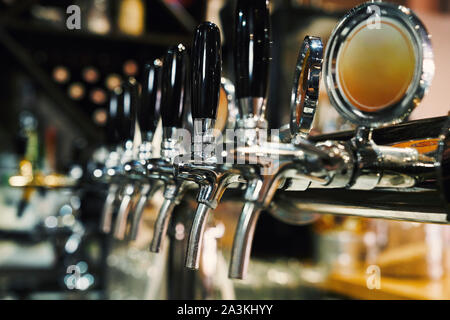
[206, 71]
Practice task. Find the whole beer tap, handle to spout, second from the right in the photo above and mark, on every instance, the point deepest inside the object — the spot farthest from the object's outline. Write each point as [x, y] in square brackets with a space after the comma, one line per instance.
[206, 168]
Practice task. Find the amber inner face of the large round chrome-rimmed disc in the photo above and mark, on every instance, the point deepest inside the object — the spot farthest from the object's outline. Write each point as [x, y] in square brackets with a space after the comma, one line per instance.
[376, 66]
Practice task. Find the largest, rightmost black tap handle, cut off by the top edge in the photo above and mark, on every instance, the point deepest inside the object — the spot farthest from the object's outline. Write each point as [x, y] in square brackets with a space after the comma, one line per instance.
[252, 48]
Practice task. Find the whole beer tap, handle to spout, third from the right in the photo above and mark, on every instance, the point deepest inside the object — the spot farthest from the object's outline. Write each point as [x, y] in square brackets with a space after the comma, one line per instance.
[172, 107]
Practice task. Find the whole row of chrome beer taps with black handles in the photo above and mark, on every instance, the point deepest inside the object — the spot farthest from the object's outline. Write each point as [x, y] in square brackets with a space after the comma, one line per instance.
[247, 160]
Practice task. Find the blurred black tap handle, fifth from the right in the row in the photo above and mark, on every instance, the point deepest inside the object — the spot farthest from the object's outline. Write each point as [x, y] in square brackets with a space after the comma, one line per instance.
[128, 104]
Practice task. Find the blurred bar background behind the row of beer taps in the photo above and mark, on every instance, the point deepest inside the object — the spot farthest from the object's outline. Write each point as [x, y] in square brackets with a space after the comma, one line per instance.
[54, 85]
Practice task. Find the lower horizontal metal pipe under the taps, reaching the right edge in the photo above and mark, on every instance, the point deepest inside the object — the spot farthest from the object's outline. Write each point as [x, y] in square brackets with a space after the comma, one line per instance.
[416, 206]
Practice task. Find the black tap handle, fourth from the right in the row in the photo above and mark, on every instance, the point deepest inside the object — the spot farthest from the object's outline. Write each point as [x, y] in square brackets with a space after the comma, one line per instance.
[148, 112]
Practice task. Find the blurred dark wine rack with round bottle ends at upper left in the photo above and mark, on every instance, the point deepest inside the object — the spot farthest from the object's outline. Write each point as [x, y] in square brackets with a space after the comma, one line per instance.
[77, 68]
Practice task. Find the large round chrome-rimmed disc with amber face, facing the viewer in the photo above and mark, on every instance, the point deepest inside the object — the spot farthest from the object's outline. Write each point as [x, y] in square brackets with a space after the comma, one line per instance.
[387, 22]
